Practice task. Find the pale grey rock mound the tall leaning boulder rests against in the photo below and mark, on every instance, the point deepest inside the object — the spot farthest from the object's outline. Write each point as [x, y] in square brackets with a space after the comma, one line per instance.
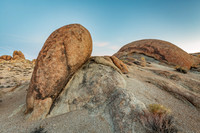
[99, 89]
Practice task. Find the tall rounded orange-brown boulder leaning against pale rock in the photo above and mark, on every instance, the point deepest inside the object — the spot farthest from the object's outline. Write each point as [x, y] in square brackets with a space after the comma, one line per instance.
[63, 53]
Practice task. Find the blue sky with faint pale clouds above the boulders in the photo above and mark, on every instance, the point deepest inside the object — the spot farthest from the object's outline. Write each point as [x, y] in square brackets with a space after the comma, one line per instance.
[26, 24]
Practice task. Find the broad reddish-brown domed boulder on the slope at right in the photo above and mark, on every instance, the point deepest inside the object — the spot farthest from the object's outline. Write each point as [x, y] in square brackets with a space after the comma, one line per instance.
[158, 49]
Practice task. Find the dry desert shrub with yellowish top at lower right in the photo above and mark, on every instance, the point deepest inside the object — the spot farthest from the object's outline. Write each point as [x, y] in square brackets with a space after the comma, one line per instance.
[157, 119]
